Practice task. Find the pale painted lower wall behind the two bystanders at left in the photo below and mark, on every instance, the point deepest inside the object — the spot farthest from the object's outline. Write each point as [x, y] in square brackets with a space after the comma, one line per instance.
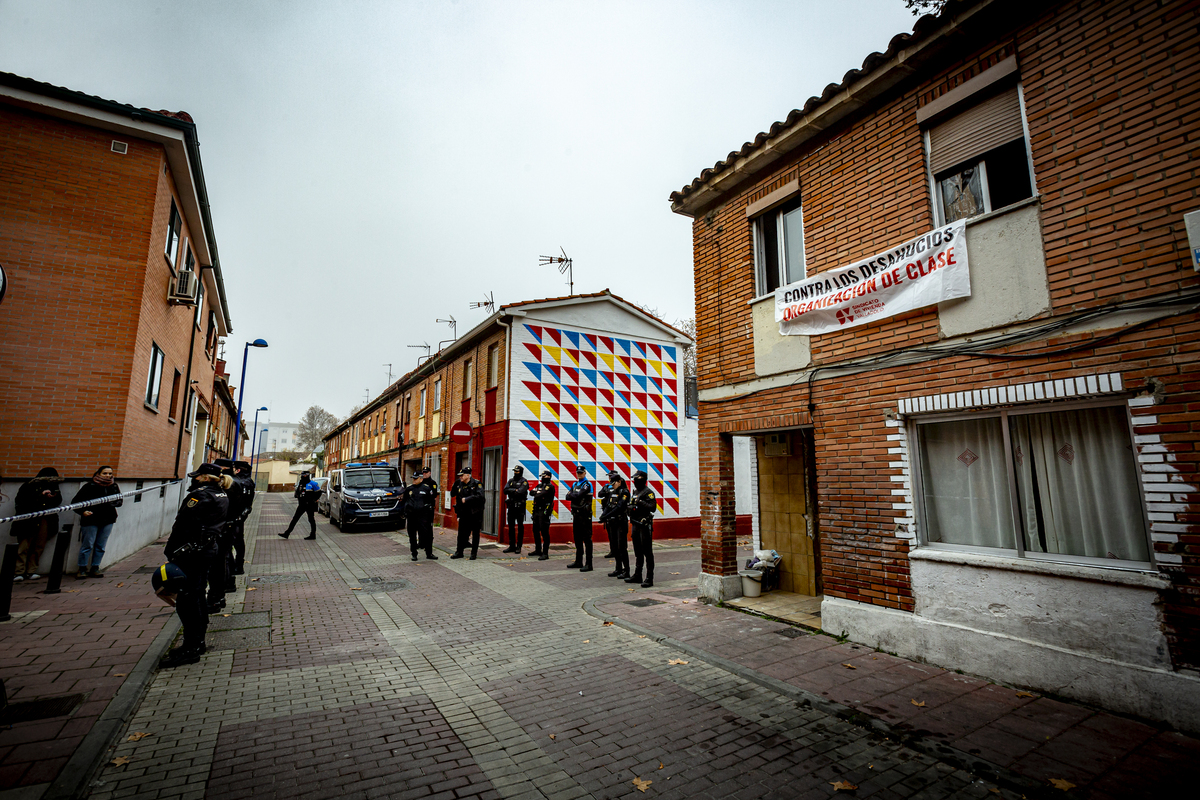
[137, 524]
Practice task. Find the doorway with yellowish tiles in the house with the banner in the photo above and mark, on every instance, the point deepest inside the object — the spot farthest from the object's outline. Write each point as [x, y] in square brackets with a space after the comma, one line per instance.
[788, 519]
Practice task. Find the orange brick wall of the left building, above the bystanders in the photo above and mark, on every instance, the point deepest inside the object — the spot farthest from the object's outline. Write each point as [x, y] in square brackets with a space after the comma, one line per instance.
[80, 230]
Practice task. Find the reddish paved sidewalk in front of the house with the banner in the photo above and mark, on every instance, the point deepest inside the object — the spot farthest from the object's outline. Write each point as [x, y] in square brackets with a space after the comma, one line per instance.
[1019, 737]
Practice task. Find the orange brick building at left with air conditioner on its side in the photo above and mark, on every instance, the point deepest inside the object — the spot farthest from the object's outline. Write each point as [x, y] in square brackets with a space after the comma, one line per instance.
[116, 302]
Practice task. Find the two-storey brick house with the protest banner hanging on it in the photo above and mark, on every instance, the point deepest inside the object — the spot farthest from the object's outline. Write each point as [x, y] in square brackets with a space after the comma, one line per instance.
[1004, 483]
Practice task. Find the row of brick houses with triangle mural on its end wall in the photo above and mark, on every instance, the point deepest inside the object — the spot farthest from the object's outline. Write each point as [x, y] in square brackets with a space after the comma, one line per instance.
[545, 384]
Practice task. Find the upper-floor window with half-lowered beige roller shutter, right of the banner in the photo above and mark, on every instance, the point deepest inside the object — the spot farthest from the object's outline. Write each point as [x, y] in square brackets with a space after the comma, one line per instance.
[979, 157]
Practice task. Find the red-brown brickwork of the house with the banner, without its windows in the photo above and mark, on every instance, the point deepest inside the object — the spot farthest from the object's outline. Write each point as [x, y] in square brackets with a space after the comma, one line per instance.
[1111, 92]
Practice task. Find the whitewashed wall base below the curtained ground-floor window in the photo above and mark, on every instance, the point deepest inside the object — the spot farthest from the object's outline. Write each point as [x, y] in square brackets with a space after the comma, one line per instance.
[1083, 633]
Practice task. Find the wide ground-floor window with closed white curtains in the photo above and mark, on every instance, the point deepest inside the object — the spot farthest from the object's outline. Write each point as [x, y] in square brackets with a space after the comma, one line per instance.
[1035, 484]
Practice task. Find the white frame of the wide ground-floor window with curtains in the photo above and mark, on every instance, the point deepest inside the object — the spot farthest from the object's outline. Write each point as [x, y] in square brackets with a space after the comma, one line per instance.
[1018, 533]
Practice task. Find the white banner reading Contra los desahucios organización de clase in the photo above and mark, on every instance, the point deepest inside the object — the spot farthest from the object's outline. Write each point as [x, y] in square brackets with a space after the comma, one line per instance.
[921, 273]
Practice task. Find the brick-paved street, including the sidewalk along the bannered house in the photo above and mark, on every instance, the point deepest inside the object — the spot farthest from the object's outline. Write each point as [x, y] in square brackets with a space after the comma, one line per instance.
[345, 670]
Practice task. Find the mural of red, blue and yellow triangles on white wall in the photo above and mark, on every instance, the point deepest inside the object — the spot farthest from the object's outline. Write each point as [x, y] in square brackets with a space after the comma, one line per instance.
[599, 401]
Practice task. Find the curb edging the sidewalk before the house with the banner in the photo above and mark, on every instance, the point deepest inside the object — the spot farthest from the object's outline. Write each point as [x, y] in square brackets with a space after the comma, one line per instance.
[805, 699]
